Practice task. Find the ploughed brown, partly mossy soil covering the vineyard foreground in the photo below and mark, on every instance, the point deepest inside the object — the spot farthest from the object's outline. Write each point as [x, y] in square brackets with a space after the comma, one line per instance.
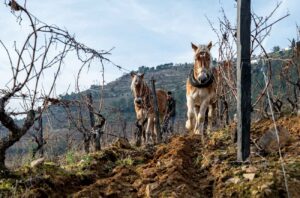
[180, 167]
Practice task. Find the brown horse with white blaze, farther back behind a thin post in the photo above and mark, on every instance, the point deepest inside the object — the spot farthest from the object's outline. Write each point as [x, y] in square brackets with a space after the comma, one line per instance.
[144, 105]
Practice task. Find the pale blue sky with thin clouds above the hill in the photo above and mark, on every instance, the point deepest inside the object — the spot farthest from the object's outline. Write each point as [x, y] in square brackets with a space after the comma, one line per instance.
[143, 32]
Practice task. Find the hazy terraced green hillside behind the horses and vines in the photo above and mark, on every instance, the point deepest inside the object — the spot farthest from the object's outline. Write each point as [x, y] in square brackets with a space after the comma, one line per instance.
[118, 100]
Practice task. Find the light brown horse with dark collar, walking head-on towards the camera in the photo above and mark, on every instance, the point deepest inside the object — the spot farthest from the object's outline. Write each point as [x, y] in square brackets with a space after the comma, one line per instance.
[200, 91]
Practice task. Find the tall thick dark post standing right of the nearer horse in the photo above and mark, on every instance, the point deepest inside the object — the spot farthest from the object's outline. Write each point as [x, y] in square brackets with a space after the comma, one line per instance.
[243, 79]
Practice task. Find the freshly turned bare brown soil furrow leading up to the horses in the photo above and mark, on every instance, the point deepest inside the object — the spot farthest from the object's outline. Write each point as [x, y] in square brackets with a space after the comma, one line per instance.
[172, 172]
